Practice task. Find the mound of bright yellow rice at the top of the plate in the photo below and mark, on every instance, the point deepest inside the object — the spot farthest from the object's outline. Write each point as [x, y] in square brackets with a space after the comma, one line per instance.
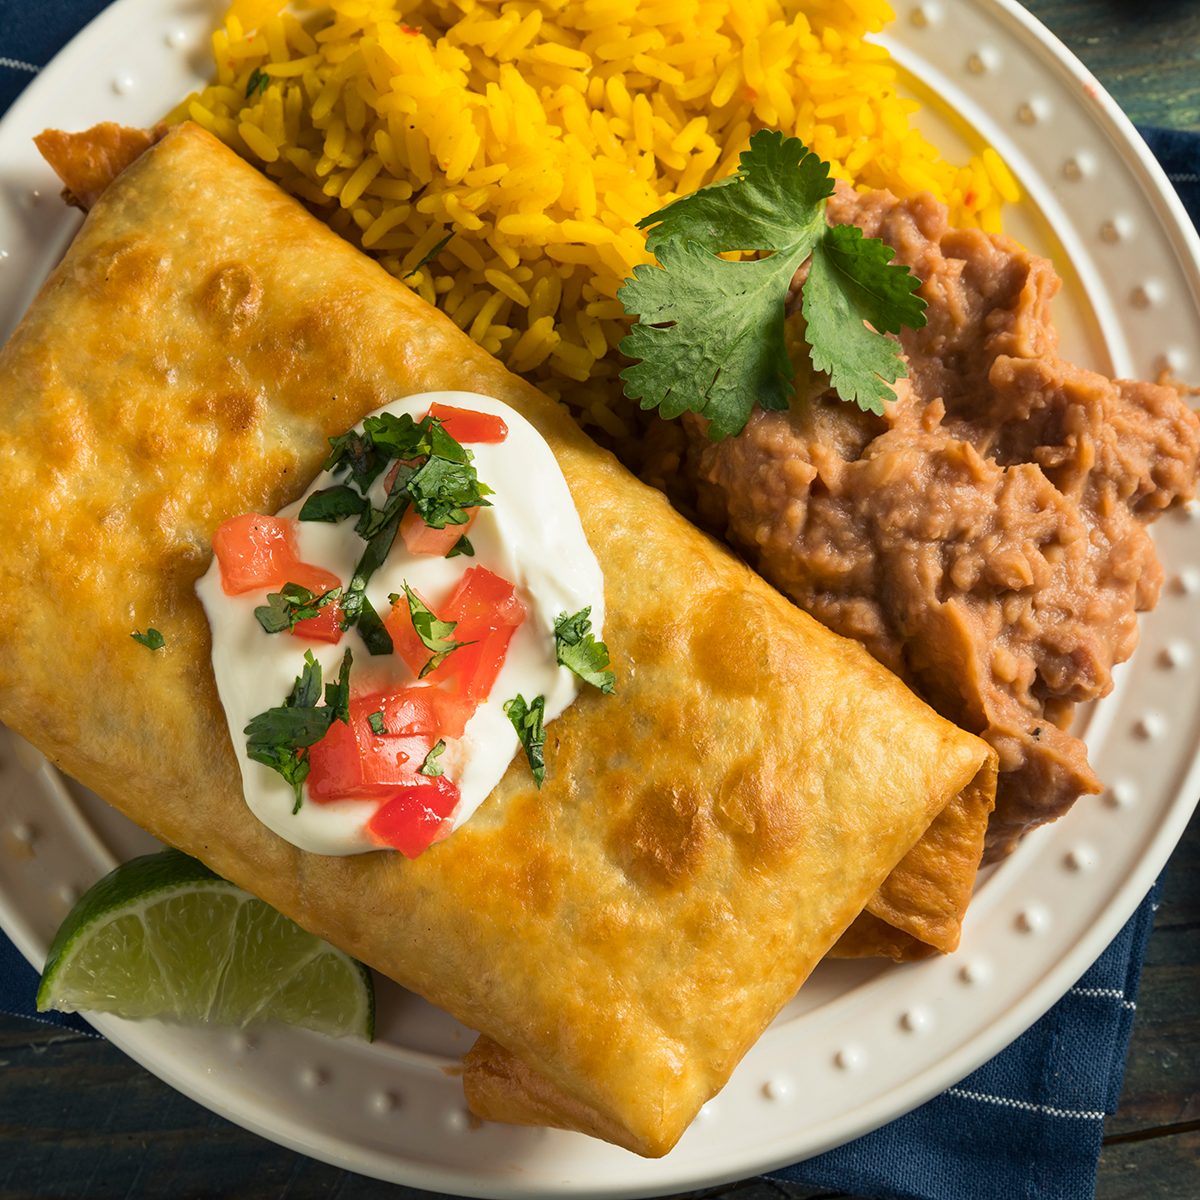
[537, 135]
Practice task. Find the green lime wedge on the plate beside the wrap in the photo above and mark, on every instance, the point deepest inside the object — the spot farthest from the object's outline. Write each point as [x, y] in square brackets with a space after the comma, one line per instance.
[164, 937]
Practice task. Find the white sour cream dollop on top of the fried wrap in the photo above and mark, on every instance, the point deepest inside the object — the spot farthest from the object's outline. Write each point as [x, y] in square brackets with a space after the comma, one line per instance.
[531, 536]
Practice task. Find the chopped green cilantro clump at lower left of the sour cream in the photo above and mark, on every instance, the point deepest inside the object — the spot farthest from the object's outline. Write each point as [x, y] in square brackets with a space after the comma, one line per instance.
[280, 737]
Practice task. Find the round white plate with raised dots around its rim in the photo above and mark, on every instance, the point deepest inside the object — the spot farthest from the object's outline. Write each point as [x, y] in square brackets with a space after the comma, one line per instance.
[862, 1043]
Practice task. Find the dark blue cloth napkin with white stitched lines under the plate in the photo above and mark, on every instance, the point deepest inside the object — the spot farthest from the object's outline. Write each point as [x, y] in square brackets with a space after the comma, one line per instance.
[1030, 1123]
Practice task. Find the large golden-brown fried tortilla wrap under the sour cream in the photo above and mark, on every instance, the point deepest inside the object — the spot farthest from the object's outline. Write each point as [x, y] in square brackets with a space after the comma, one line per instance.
[703, 837]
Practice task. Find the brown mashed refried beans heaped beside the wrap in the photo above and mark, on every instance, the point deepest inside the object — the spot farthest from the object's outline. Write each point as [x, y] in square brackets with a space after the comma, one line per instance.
[987, 537]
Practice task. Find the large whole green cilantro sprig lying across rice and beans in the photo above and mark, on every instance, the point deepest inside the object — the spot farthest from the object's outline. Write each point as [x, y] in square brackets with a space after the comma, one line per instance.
[710, 337]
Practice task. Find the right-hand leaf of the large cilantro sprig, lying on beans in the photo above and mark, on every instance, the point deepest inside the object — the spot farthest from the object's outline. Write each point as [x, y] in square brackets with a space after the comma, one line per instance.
[851, 281]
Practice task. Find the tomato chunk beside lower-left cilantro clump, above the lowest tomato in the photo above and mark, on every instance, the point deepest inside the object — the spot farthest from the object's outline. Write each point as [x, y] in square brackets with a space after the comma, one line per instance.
[353, 763]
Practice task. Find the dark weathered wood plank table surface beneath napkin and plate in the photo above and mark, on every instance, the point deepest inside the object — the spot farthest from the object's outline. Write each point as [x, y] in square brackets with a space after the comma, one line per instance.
[81, 1121]
